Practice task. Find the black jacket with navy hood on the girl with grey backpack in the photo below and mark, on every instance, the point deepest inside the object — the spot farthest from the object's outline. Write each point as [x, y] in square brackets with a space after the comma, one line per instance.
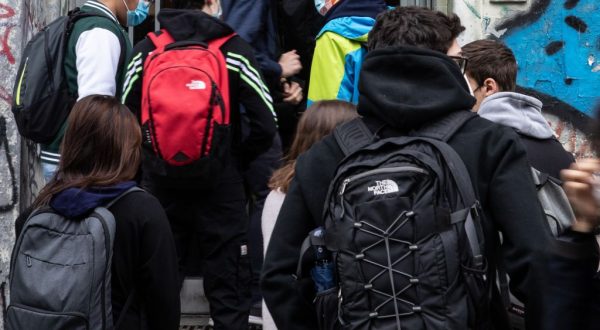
[144, 256]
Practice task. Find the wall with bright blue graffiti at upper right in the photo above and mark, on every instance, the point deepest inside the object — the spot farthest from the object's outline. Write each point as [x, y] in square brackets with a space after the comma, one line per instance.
[557, 46]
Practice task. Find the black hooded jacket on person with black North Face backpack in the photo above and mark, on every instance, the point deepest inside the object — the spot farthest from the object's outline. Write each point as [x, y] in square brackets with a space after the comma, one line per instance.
[405, 88]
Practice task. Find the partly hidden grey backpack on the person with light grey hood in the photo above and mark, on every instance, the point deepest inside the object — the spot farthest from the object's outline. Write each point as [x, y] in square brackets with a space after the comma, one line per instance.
[559, 215]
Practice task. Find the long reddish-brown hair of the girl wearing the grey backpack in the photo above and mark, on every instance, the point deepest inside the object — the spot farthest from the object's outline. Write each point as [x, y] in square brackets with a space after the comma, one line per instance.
[101, 147]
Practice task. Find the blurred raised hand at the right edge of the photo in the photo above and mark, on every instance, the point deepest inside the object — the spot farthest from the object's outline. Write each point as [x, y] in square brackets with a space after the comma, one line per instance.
[579, 184]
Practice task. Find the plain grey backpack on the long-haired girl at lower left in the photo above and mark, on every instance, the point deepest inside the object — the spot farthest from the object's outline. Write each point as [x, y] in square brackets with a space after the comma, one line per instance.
[60, 274]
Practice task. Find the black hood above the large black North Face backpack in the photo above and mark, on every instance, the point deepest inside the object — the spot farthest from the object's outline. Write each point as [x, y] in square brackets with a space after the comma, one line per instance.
[407, 86]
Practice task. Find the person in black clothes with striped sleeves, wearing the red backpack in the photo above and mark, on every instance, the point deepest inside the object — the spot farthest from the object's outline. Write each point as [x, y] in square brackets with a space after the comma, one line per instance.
[218, 217]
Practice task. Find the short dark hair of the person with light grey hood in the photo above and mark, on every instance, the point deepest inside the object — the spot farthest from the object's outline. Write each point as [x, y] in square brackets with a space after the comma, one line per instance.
[491, 59]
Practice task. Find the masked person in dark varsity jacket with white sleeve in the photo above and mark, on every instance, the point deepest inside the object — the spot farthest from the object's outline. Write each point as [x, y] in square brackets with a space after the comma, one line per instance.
[97, 50]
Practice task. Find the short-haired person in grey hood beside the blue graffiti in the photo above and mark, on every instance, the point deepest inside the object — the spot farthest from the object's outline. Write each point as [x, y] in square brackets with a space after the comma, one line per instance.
[492, 75]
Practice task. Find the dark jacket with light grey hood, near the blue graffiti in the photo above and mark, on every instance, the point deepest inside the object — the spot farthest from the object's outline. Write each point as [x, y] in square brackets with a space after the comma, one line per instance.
[524, 114]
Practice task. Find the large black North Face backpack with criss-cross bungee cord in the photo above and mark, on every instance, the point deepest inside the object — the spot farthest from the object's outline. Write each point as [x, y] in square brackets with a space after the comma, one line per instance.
[404, 226]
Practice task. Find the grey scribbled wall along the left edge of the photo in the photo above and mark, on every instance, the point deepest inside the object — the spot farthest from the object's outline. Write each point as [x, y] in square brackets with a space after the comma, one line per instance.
[20, 177]
